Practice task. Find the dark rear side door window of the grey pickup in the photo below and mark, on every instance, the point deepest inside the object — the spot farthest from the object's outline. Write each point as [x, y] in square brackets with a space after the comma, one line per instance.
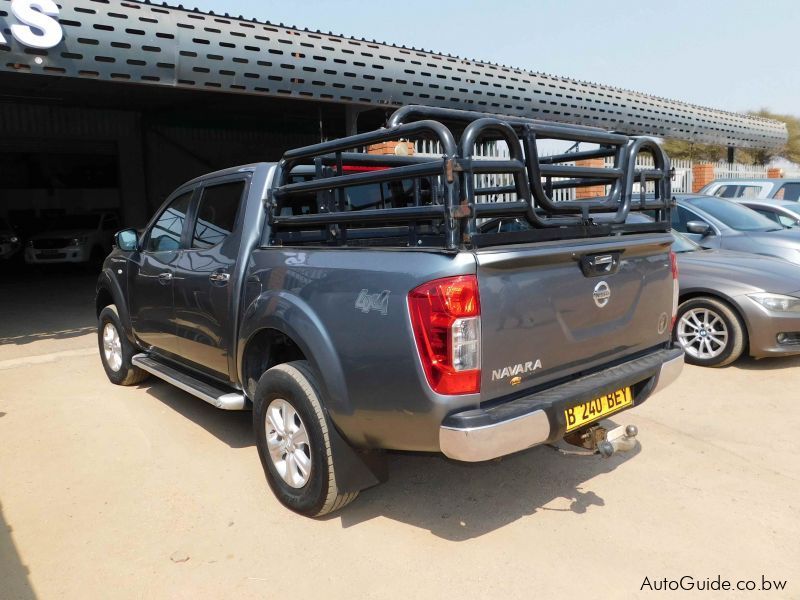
[216, 214]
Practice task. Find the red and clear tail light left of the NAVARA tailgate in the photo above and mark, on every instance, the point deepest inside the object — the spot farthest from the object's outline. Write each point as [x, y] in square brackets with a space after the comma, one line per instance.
[445, 316]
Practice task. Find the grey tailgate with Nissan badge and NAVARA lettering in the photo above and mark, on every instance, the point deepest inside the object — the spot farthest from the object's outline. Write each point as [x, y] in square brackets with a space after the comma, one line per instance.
[555, 309]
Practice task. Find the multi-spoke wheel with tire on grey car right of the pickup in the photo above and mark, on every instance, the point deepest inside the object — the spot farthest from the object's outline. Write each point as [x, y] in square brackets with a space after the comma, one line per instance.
[710, 332]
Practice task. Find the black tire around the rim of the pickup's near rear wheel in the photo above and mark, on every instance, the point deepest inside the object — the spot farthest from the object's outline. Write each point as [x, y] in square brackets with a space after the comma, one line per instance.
[296, 384]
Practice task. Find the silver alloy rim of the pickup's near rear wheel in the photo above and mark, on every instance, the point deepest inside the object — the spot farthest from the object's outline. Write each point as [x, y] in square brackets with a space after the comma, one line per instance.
[288, 444]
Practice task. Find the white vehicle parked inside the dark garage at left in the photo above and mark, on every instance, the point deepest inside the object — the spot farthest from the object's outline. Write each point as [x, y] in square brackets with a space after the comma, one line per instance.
[74, 239]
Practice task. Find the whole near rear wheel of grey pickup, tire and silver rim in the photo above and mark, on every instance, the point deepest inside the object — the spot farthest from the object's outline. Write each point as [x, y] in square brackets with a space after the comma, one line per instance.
[293, 442]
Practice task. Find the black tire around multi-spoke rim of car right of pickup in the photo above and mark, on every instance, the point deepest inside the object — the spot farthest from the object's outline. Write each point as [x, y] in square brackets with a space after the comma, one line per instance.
[736, 339]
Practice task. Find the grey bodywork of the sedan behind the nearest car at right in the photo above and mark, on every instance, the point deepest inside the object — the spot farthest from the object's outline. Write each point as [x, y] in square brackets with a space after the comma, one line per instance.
[783, 244]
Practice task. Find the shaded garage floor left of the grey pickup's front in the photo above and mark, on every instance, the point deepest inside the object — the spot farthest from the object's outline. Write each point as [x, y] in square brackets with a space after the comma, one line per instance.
[45, 306]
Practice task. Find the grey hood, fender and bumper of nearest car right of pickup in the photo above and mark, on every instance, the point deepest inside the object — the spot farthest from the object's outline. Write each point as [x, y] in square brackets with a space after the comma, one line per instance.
[731, 276]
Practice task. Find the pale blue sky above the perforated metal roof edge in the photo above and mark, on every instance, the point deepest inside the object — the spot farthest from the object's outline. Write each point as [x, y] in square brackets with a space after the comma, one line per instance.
[733, 55]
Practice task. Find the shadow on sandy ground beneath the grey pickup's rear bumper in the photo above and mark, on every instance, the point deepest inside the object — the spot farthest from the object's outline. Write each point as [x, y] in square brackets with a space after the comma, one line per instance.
[460, 501]
